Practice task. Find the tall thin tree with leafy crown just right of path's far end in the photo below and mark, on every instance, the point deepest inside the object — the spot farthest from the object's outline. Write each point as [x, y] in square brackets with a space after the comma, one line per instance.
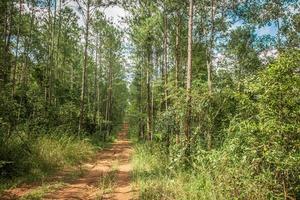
[146, 19]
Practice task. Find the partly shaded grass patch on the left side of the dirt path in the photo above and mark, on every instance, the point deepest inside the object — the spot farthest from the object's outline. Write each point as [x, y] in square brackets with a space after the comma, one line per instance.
[33, 158]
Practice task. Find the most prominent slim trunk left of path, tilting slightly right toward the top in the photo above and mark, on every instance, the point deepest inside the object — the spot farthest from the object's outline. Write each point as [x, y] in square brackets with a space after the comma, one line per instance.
[83, 83]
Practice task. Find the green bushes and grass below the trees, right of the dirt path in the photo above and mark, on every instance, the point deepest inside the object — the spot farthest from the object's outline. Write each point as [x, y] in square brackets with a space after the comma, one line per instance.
[255, 155]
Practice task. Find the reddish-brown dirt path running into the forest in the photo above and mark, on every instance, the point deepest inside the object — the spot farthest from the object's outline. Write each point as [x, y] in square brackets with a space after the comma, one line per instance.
[107, 177]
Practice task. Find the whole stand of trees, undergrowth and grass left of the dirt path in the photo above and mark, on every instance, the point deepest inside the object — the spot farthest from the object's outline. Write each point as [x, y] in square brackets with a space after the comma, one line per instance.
[62, 85]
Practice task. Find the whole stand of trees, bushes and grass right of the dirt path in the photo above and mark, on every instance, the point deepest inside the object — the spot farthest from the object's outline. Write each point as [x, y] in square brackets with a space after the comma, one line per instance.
[218, 99]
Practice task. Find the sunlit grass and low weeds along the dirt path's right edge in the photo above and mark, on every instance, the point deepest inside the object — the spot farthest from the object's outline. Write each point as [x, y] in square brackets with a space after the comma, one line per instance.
[157, 178]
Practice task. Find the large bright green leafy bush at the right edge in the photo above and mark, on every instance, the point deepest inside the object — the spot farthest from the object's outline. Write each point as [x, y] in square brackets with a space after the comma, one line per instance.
[268, 140]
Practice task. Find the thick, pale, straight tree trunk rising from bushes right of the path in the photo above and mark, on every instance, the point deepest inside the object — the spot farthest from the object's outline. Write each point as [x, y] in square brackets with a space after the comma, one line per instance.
[189, 72]
